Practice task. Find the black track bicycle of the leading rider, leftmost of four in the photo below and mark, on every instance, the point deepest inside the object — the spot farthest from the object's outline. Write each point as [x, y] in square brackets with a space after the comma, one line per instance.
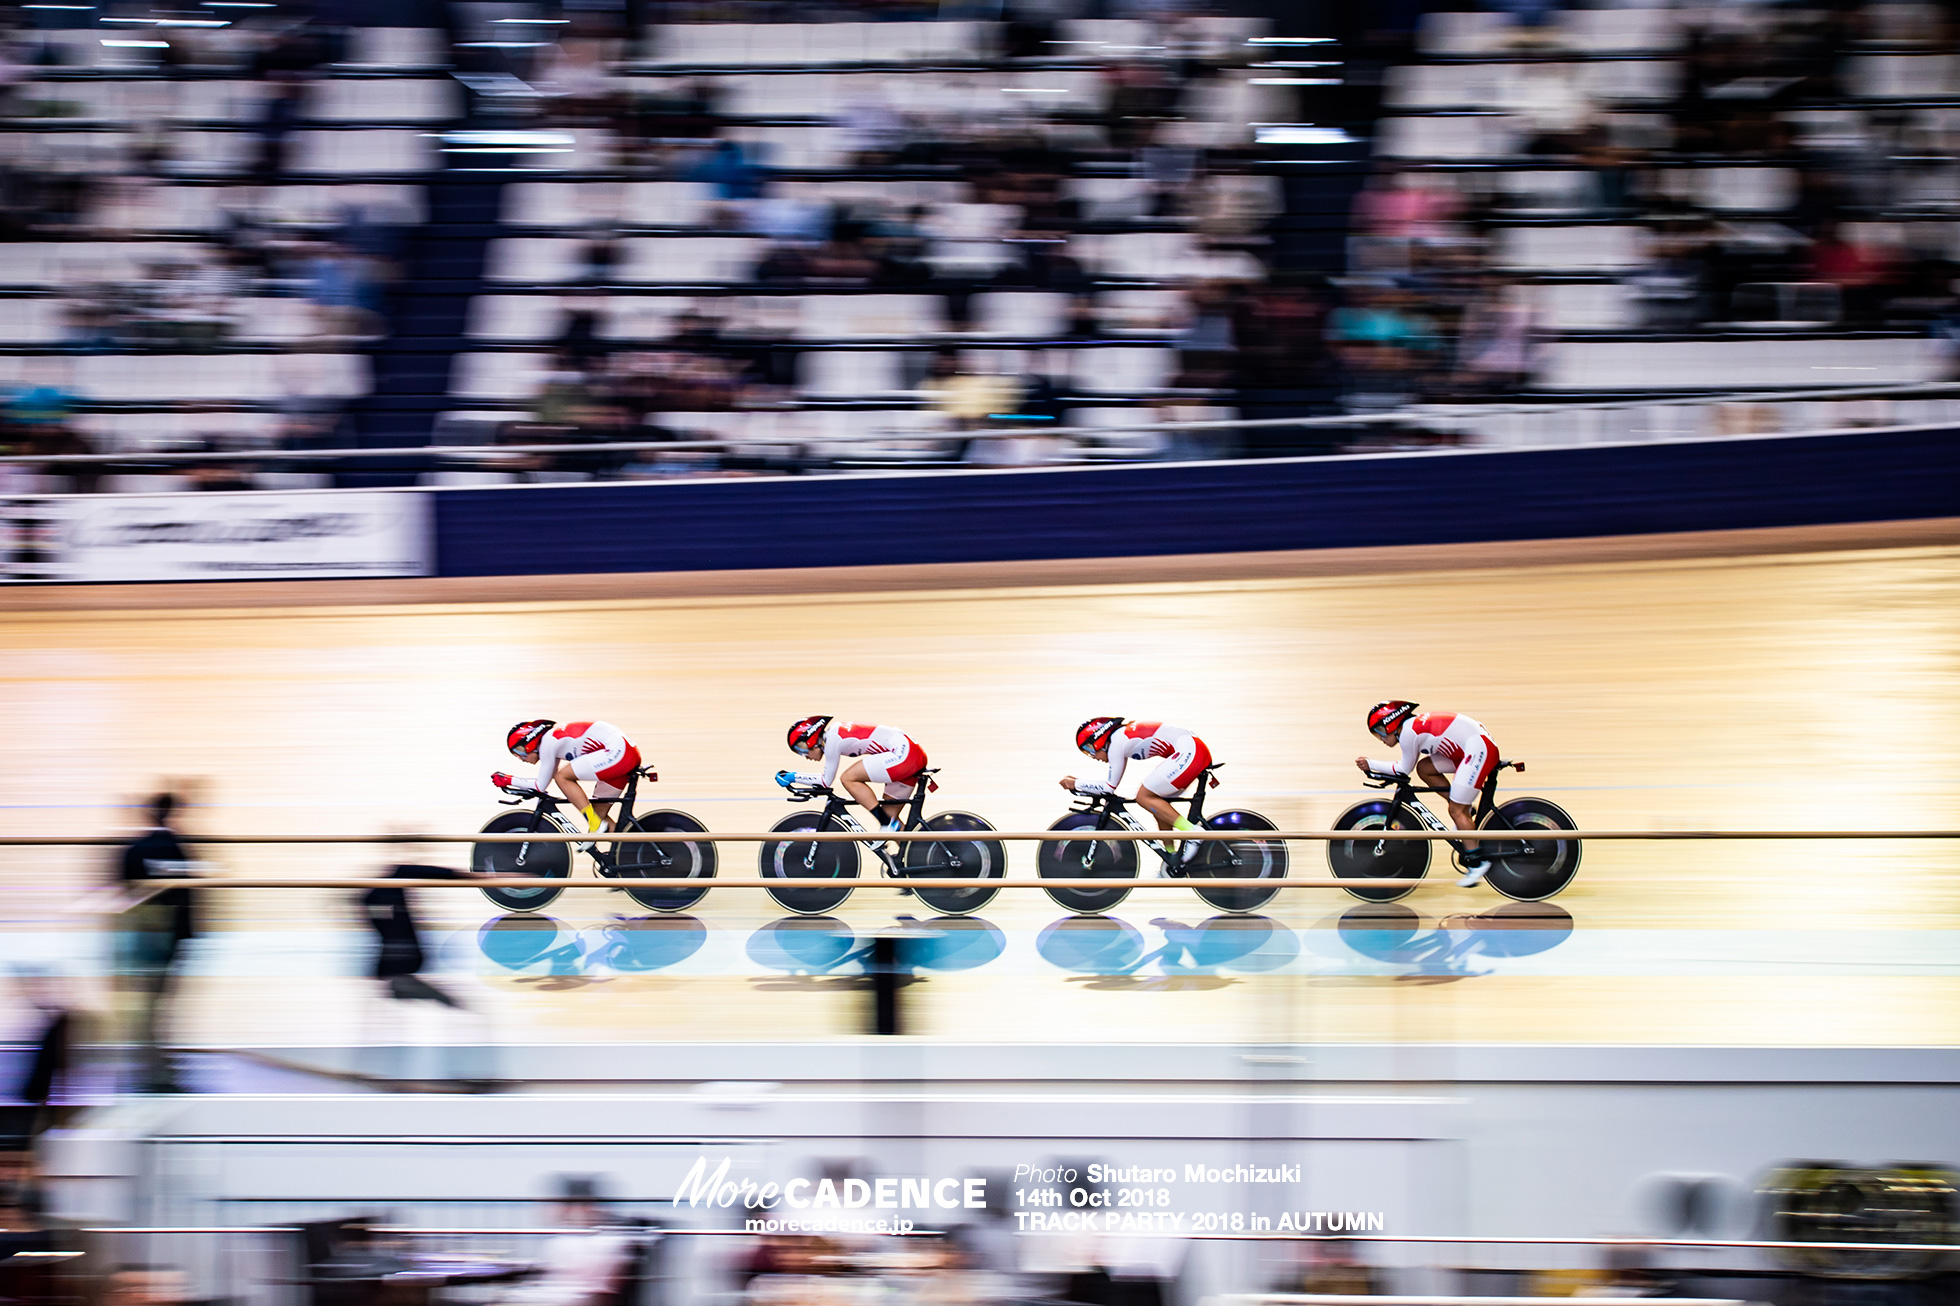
[681, 866]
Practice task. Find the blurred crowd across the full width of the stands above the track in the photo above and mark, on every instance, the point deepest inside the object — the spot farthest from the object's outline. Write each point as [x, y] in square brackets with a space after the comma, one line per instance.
[1749, 179]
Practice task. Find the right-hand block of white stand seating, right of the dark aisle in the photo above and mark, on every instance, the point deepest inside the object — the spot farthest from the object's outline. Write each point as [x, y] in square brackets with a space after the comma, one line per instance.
[1626, 201]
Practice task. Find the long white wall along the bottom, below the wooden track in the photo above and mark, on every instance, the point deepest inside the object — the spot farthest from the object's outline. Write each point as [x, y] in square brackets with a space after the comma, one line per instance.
[1494, 1142]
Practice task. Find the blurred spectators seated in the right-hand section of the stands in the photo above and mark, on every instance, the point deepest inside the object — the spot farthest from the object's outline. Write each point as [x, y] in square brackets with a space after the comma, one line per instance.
[1759, 181]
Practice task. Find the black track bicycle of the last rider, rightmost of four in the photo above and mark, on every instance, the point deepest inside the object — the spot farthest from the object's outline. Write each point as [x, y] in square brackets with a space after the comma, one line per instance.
[1528, 868]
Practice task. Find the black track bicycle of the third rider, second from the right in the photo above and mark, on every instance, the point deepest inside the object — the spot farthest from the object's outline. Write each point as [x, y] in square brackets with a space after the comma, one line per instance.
[1251, 858]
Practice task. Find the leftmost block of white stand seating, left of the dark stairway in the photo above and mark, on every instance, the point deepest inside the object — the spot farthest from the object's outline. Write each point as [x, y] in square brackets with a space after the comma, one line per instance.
[201, 223]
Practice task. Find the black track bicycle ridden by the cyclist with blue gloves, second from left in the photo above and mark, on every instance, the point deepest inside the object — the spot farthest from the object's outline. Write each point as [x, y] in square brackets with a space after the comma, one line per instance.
[954, 858]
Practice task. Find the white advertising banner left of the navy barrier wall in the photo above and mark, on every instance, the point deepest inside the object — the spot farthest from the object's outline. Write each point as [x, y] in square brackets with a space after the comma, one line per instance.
[250, 536]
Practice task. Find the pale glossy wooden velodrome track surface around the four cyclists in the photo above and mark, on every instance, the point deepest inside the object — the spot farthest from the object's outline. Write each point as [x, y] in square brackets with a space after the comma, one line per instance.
[1759, 679]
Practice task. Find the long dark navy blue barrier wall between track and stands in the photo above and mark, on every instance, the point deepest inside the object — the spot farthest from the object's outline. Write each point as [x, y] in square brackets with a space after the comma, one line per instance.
[1200, 509]
